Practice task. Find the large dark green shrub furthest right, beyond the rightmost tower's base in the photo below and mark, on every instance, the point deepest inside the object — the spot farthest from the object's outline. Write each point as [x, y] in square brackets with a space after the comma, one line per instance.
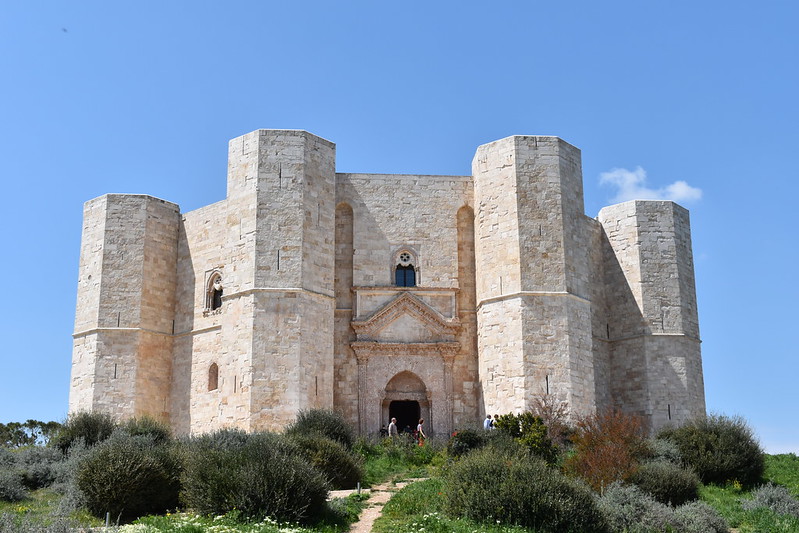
[719, 449]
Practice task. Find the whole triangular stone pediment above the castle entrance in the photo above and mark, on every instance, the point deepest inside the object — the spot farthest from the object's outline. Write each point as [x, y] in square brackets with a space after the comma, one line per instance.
[406, 319]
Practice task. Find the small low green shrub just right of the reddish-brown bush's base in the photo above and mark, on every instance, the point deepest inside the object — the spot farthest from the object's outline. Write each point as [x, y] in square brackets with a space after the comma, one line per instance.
[667, 482]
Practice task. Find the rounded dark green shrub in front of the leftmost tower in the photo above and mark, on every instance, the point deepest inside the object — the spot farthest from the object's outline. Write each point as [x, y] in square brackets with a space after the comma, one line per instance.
[129, 477]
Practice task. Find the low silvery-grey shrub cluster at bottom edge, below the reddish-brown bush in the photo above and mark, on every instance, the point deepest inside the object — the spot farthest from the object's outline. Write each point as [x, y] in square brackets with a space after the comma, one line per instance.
[627, 508]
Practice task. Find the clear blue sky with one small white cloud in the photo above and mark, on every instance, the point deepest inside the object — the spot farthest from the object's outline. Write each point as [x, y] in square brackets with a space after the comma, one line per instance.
[143, 96]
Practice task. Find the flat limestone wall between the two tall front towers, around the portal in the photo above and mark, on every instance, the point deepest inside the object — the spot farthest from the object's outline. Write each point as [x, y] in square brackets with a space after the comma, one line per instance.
[386, 214]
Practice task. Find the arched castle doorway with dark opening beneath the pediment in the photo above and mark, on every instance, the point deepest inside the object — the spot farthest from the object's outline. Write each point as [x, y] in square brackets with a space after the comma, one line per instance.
[406, 399]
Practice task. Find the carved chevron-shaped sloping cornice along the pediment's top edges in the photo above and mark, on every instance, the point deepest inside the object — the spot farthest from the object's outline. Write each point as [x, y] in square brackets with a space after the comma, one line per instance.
[406, 303]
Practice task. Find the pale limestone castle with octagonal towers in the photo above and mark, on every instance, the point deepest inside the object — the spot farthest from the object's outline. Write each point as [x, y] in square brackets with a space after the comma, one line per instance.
[378, 295]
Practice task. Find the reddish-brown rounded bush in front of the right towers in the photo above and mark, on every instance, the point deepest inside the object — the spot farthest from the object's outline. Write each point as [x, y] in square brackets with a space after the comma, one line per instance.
[607, 447]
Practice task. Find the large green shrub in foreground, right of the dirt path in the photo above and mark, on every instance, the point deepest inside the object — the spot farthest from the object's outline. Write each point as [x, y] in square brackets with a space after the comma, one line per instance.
[489, 486]
